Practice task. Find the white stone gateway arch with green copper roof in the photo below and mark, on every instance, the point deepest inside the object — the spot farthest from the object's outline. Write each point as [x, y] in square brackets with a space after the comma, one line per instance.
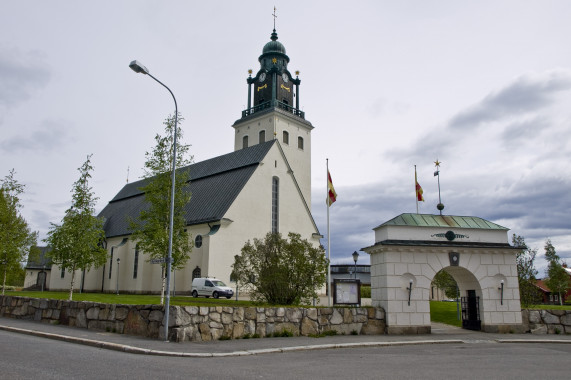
[411, 248]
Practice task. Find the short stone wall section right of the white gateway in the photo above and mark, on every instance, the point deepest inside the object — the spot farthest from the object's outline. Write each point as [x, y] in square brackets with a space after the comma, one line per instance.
[547, 321]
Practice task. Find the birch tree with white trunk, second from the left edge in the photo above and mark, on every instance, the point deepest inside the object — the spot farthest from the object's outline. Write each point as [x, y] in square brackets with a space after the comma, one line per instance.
[76, 243]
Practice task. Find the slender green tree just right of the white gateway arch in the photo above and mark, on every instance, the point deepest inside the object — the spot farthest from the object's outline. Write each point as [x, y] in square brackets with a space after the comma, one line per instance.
[526, 272]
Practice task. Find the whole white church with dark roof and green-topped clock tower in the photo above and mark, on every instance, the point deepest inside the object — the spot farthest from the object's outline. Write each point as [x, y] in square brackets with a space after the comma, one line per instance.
[263, 186]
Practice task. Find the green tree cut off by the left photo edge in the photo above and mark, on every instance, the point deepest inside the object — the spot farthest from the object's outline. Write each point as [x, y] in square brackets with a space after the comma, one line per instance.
[16, 238]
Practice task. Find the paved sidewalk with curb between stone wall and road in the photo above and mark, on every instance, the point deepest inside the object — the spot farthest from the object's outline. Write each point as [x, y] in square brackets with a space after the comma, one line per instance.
[441, 334]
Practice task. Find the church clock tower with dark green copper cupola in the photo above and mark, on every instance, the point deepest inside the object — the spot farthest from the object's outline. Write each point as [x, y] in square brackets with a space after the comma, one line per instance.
[273, 113]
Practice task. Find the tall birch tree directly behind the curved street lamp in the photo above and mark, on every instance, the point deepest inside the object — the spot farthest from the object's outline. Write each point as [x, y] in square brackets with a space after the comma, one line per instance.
[151, 229]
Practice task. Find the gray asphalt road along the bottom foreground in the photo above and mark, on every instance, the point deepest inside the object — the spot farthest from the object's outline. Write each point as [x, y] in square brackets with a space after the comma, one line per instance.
[29, 357]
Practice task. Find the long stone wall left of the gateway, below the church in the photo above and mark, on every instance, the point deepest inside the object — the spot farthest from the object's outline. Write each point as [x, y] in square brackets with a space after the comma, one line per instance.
[194, 323]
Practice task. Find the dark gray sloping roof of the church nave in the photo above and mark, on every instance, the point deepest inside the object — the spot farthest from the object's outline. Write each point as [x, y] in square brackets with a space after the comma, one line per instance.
[214, 184]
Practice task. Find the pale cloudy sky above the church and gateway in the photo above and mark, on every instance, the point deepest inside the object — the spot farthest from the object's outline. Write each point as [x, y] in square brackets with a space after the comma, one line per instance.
[483, 86]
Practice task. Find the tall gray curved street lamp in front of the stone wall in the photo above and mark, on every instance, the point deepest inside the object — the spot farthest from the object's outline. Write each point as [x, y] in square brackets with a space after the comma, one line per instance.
[137, 67]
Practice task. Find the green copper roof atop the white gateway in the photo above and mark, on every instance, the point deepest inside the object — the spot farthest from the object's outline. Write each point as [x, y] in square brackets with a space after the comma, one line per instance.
[429, 220]
